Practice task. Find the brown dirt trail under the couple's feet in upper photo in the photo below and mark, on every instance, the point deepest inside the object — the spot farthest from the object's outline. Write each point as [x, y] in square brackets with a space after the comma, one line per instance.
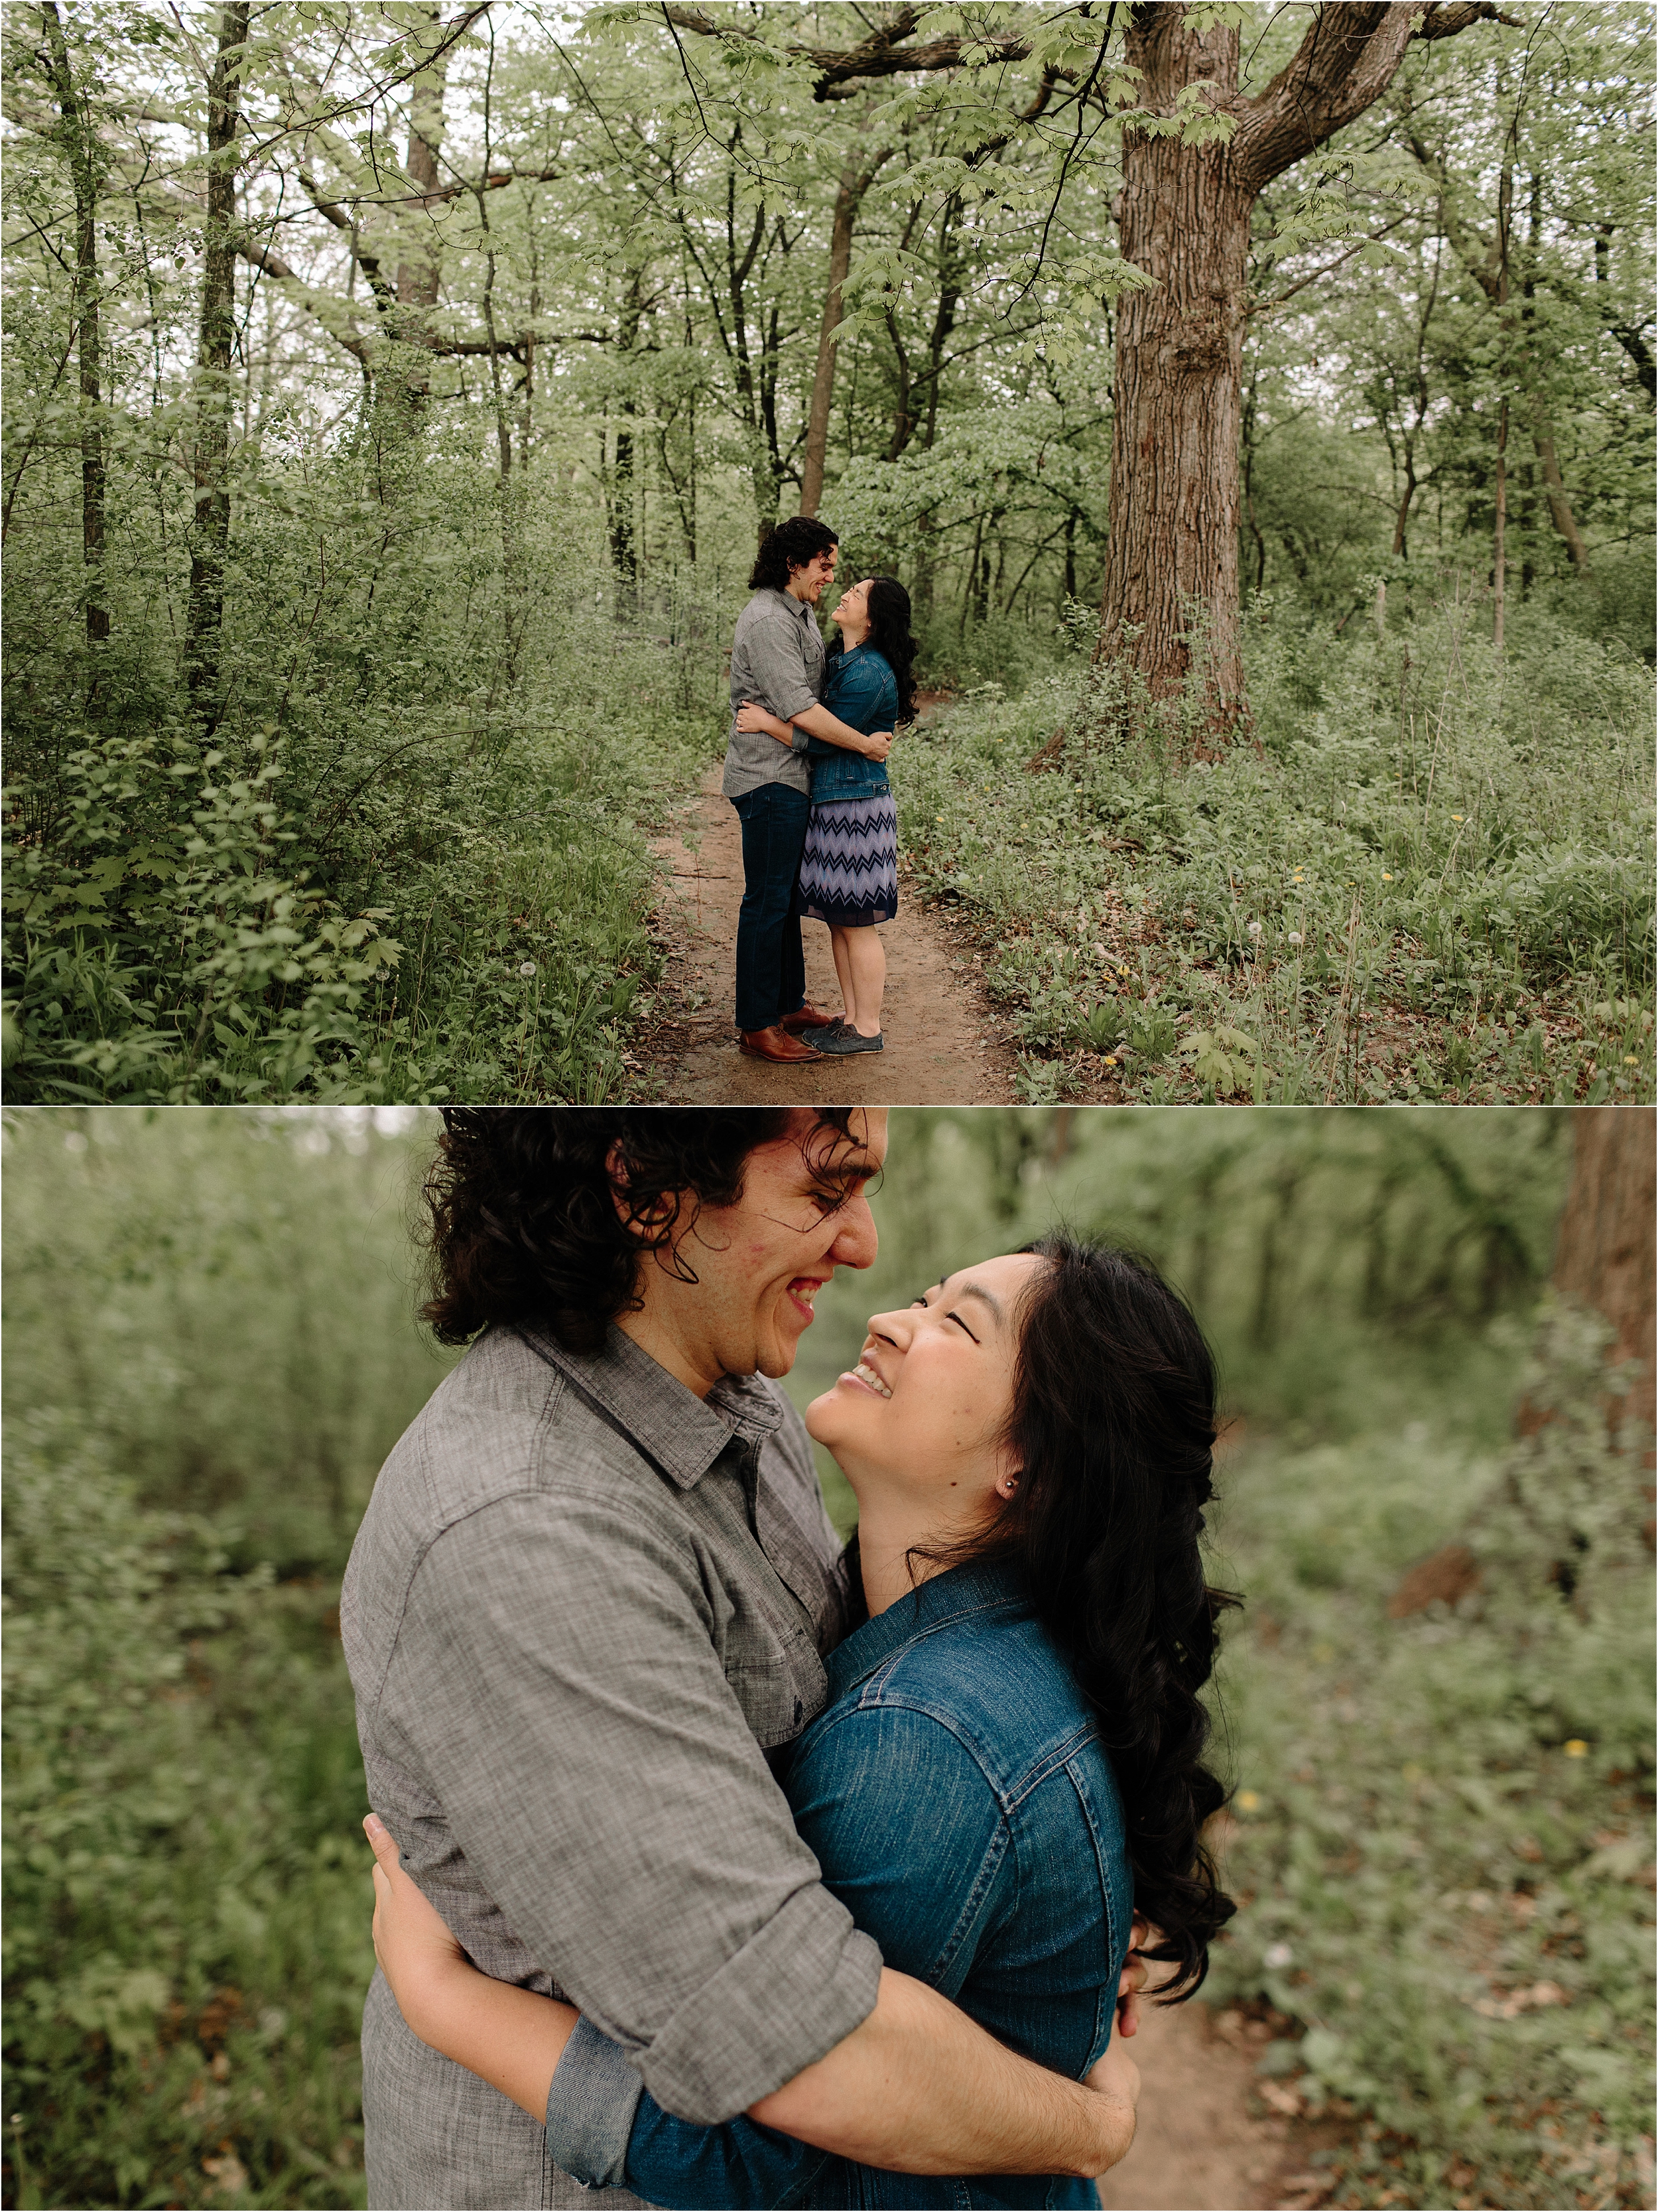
[943, 1045]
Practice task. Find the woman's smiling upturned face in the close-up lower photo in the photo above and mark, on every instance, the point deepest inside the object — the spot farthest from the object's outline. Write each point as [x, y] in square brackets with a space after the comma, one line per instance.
[925, 1408]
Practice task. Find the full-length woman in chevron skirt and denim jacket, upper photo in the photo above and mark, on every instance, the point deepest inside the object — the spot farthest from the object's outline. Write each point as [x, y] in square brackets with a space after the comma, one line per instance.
[850, 862]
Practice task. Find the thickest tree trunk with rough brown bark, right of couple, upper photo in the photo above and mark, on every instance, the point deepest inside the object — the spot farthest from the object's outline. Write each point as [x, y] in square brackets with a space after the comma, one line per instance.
[1173, 552]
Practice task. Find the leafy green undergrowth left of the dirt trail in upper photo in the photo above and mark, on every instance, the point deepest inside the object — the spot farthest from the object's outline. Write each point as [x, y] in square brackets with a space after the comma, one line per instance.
[399, 855]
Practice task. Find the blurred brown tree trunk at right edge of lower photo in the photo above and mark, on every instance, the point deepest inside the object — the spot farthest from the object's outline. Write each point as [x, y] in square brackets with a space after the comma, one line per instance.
[1606, 1249]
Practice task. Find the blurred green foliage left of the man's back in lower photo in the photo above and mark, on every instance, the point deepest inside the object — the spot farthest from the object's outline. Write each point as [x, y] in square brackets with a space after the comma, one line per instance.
[211, 1344]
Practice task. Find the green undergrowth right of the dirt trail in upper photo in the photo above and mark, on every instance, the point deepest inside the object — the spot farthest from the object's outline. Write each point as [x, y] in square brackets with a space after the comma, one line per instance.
[1431, 879]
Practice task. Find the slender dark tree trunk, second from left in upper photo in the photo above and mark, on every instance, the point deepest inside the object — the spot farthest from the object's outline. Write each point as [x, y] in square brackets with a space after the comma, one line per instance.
[216, 395]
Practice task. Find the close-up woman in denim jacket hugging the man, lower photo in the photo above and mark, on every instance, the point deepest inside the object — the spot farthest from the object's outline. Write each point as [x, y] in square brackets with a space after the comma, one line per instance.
[1007, 1782]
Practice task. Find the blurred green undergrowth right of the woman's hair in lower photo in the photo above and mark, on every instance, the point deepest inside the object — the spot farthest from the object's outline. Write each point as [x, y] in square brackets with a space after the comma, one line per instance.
[1442, 1826]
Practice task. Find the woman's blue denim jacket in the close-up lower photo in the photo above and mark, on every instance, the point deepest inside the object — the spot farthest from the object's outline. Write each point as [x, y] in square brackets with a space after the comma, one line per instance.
[965, 1813]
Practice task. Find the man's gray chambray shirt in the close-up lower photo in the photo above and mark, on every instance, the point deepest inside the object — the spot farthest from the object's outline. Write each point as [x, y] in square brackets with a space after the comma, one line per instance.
[580, 1609]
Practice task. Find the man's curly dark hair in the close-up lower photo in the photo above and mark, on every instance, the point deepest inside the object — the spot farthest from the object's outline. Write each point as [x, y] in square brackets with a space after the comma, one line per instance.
[525, 1220]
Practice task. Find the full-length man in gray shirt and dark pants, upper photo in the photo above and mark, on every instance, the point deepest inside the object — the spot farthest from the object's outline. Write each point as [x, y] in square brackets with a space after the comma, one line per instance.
[777, 662]
